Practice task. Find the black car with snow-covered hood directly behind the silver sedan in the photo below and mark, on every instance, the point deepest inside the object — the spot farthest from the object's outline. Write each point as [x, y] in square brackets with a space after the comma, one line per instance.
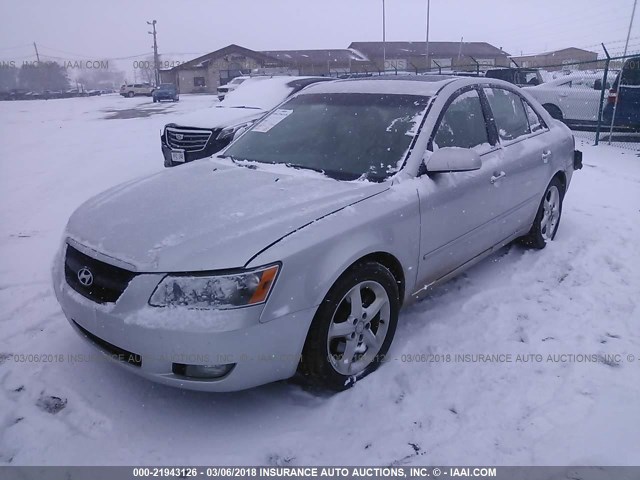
[208, 131]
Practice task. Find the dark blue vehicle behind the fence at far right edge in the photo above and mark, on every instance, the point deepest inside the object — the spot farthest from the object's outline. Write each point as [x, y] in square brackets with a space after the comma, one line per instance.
[626, 91]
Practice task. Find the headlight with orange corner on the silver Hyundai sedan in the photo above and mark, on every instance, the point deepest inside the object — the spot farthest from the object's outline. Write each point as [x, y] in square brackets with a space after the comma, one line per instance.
[219, 291]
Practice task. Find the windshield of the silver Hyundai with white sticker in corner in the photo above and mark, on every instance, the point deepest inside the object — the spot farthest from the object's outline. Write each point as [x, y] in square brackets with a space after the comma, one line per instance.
[347, 136]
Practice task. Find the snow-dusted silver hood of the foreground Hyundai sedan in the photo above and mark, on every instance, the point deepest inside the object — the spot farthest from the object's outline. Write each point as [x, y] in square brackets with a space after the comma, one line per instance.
[208, 215]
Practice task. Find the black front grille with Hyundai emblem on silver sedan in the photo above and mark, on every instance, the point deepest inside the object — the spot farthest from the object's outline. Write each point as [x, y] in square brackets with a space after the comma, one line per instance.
[96, 280]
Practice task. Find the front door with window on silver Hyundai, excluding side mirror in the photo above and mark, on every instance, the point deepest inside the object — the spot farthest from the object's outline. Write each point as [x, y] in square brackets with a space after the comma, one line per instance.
[460, 210]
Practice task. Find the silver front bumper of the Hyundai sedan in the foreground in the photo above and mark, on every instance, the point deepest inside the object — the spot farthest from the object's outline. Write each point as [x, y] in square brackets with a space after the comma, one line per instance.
[151, 341]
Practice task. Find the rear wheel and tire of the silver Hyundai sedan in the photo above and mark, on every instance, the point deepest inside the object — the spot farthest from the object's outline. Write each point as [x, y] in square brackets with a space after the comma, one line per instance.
[545, 226]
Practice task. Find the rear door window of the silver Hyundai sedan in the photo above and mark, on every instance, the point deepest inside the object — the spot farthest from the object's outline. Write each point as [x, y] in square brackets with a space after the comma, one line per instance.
[509, 113]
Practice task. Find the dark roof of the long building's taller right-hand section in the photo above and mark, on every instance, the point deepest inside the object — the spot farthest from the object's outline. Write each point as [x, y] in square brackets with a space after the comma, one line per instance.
[436, 49]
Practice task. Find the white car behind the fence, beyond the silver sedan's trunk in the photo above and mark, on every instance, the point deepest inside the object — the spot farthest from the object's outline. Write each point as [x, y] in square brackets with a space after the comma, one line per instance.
[573, 98]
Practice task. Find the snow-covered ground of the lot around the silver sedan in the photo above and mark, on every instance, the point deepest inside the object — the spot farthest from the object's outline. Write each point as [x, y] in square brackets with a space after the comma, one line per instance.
[577, 297]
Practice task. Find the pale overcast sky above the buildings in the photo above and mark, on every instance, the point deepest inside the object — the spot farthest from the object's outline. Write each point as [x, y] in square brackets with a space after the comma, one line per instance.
[116, 28]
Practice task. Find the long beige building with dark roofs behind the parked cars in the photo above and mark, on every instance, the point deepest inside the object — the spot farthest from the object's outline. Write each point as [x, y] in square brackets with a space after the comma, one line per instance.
[204, 74]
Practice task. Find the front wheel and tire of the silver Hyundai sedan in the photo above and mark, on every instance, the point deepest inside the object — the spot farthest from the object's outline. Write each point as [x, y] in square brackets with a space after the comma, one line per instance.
[346, 343]
